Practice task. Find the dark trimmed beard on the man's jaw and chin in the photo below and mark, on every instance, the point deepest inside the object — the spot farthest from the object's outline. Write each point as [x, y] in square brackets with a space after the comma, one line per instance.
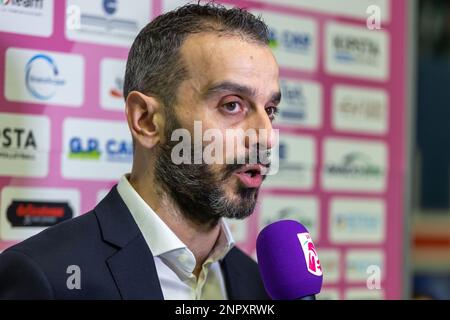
[197, 190]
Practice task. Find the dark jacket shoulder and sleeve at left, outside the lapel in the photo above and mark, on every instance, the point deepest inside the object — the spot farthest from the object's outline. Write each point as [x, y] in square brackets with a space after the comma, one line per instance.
[39, 267]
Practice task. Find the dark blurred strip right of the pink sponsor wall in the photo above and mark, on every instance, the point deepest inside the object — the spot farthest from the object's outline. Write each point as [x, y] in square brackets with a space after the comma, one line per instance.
[430, 196]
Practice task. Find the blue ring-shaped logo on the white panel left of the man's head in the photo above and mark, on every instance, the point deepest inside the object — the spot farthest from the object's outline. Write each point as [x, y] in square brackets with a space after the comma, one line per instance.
[42, 78]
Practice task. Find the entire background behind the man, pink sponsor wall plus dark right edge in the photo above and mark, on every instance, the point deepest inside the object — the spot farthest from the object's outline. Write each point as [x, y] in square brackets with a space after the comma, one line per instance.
[364, 145]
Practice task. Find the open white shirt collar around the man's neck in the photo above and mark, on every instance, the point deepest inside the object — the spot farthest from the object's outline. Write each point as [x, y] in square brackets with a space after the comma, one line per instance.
[160, 238]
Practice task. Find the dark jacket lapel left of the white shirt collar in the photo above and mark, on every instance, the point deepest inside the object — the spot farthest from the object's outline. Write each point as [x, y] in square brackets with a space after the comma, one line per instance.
[132, 266]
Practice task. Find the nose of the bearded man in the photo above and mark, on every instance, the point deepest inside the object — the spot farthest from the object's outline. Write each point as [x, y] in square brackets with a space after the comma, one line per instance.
[261, 123]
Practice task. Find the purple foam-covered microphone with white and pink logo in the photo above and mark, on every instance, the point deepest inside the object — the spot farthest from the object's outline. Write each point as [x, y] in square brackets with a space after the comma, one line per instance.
[288, 261]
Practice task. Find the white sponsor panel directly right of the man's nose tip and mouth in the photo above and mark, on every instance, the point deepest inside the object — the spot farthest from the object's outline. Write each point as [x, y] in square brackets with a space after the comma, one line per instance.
[297, 160]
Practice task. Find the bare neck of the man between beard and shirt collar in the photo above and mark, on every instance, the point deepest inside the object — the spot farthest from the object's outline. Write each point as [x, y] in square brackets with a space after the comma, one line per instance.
[200, 239]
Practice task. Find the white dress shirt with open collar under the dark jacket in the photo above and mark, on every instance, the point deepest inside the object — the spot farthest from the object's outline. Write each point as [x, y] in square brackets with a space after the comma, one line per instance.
[173, 260]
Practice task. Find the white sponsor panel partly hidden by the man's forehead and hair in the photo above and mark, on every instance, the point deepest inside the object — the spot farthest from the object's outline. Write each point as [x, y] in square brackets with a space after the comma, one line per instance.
[293, 40]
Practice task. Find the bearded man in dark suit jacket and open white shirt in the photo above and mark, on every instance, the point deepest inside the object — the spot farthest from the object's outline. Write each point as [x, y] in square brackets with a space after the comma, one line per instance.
[160, 233]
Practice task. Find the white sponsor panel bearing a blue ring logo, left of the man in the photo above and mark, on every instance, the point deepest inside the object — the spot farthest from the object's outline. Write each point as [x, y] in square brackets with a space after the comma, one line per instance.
[44, 77]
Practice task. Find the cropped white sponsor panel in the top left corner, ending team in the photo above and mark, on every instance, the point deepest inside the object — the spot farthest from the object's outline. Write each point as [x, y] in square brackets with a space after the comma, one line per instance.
[34, 18]
